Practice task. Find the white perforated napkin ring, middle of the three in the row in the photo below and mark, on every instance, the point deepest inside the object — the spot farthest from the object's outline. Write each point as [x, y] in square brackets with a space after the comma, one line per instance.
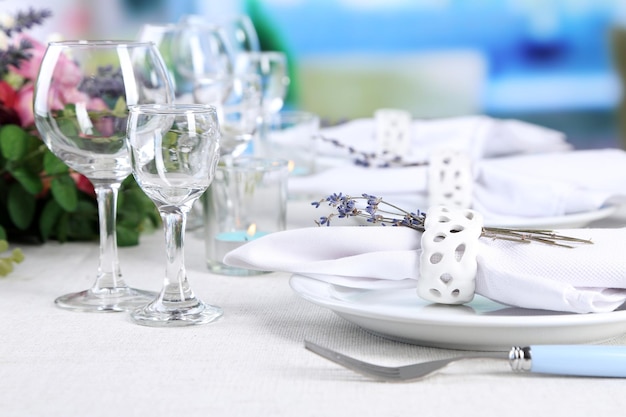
[450, 179]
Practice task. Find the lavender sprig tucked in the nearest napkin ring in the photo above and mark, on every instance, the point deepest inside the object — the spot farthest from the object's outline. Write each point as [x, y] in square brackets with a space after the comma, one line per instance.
[378, 211]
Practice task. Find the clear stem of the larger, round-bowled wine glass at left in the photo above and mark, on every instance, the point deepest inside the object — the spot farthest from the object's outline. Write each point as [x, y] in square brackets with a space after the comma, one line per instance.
[109, 274]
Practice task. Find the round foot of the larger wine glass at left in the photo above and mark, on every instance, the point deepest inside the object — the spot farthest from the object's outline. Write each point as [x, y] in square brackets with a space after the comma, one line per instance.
[106, 300]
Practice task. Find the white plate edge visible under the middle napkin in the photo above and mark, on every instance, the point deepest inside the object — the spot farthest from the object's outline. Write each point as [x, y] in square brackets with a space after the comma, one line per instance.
[567, 221]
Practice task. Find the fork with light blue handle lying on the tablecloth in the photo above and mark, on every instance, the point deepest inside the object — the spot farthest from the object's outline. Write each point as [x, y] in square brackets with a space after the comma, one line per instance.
[574, 360]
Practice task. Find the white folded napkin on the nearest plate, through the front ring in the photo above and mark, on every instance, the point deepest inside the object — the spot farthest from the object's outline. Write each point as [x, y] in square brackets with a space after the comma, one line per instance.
[588, 278]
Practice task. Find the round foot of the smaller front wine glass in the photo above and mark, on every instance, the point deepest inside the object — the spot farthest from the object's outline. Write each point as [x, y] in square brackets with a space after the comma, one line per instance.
[156, 314]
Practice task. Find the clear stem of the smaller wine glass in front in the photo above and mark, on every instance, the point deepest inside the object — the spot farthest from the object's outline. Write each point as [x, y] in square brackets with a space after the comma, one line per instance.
[176, 287]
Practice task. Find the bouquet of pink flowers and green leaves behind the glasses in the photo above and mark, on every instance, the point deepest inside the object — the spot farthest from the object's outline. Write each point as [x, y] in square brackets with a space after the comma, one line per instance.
[40, 197]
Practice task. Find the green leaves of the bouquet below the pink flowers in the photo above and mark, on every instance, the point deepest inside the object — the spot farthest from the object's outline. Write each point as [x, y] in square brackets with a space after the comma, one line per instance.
[40, 199]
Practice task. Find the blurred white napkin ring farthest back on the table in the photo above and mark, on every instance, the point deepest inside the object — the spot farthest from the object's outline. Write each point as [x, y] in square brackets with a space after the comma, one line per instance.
[393, 131]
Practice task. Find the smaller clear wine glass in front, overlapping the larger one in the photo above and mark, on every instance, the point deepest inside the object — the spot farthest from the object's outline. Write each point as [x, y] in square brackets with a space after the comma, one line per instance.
[174, 152]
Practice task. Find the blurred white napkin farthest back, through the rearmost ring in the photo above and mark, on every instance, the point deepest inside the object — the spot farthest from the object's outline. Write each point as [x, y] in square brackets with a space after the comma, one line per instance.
[479, 136]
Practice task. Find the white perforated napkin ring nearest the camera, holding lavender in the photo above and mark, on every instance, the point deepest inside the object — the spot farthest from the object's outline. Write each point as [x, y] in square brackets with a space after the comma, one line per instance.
[448, 262]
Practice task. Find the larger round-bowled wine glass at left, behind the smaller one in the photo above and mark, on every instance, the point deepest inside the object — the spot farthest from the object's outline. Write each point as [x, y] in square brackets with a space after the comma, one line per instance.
[80, 105]
